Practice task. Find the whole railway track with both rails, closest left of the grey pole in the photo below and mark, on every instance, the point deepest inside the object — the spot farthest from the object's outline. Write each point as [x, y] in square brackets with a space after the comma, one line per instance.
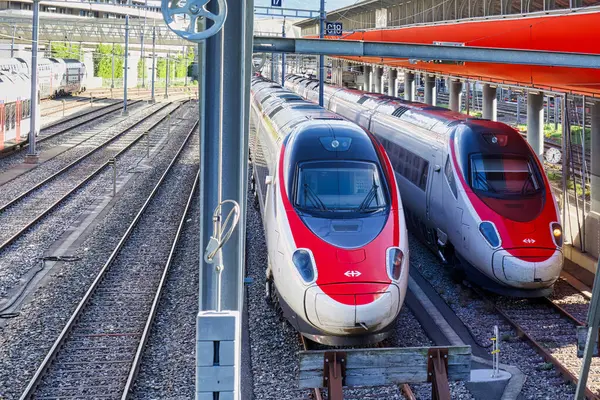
[98, 352]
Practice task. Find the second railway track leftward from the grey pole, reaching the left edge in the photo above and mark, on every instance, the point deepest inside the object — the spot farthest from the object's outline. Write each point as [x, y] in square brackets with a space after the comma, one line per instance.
[44, 197]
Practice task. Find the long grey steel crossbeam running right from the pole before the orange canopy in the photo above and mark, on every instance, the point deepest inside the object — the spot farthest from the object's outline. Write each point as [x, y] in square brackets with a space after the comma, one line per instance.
[424, 52]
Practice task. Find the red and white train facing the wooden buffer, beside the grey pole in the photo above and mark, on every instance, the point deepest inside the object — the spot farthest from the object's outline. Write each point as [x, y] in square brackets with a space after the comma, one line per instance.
[333, 218]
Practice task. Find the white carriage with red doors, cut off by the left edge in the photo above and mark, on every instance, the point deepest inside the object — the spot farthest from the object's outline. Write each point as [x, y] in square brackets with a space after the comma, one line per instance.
[15, 108]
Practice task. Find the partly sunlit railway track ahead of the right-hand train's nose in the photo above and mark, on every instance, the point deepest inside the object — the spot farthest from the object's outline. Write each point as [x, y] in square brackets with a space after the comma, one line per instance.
[549, 325]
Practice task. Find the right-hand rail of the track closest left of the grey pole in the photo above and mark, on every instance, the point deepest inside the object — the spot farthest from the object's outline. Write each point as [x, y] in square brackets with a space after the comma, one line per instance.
[147, 328]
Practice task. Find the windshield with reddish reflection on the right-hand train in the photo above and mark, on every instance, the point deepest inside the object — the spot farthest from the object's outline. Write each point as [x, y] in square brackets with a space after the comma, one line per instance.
[504, 175]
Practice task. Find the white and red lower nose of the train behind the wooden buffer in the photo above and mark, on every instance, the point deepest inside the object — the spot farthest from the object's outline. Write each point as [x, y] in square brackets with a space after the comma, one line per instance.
[352, 308]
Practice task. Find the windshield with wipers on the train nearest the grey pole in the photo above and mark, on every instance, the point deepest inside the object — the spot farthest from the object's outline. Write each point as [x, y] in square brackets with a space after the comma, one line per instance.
[342, 187]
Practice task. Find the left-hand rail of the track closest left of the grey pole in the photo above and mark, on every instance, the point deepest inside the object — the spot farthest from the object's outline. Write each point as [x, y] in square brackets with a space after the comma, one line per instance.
[39, 374]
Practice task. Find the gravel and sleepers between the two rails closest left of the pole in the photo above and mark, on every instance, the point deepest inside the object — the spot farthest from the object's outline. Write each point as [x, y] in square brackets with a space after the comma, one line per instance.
[122, 300]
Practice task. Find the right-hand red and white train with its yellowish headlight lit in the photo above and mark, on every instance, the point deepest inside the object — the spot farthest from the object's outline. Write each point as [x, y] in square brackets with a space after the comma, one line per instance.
[473, 189]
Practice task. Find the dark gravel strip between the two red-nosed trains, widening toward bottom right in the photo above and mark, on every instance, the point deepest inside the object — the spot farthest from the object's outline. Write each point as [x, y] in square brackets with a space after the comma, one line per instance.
[543, 382]
